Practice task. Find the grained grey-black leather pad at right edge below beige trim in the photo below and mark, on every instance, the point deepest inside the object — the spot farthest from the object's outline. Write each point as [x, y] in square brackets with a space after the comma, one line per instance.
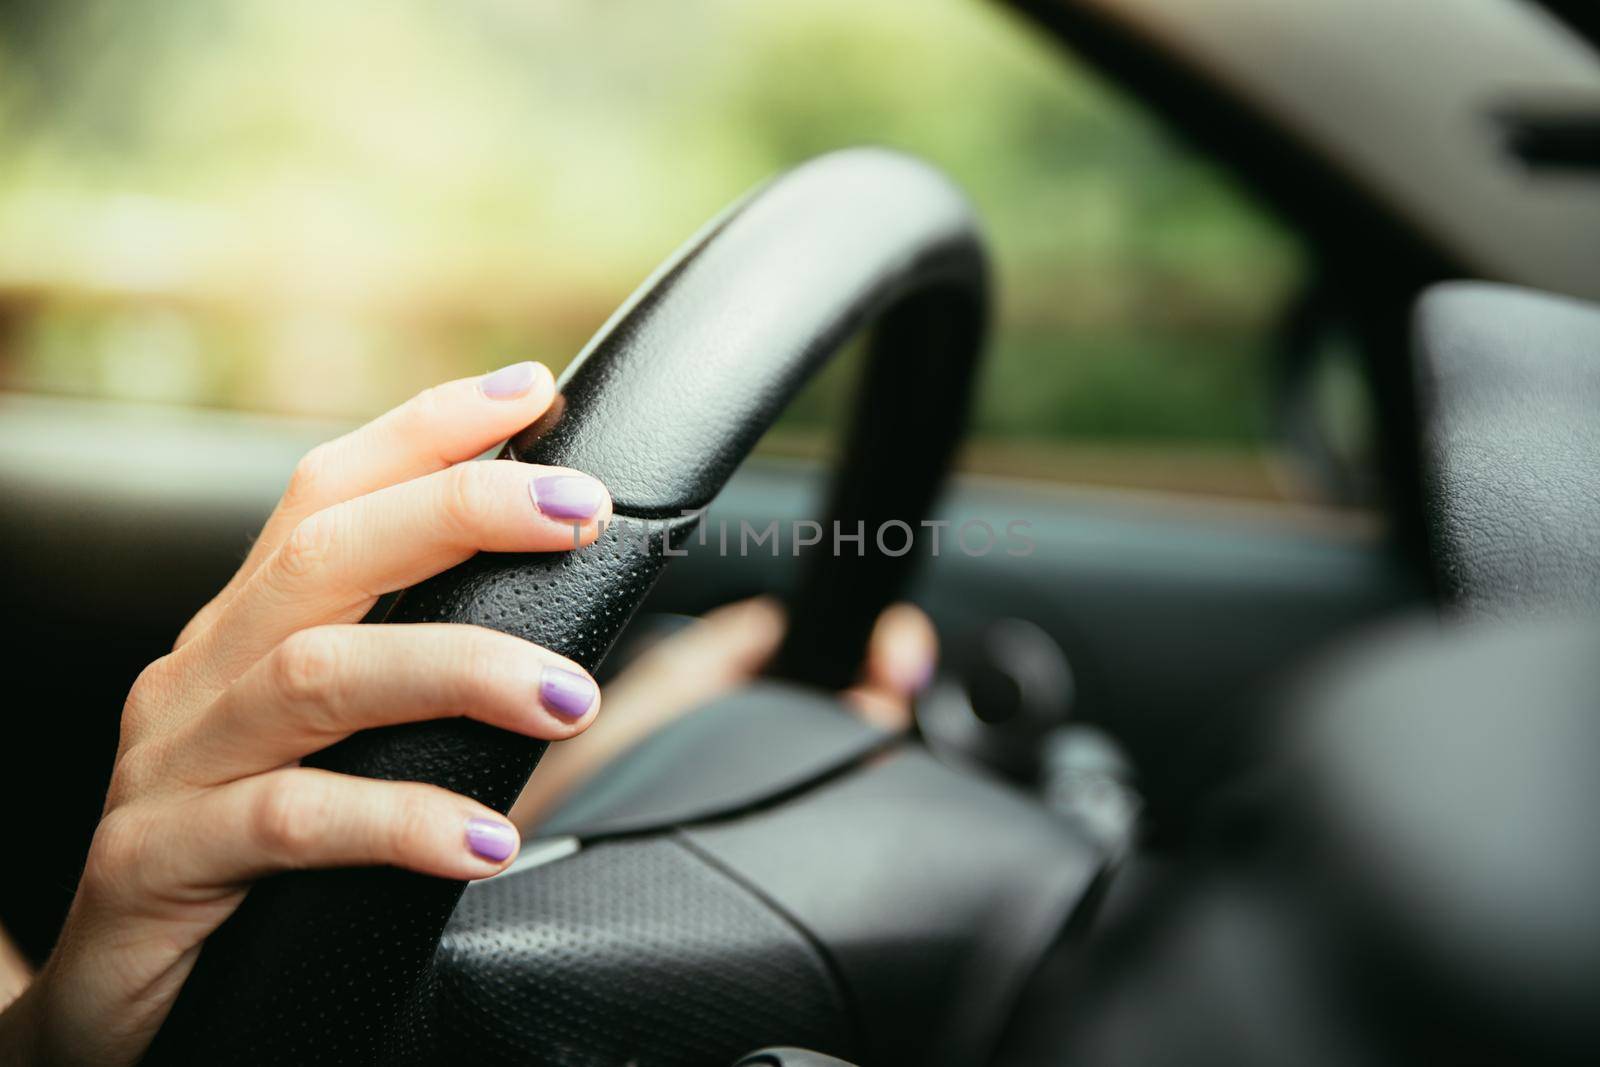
[1510, 385]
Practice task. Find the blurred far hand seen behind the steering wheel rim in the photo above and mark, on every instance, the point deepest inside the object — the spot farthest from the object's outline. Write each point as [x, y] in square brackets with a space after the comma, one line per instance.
[711, 658]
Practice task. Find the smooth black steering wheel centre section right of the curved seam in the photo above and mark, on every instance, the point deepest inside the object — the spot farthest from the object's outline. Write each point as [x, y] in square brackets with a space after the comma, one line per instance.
[935, 893]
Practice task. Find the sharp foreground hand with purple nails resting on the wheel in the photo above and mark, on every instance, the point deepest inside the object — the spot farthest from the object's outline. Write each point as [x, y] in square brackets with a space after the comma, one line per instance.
[207, 794]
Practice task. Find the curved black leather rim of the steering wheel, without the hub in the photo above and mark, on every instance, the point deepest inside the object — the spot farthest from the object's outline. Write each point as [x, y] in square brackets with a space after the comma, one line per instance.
[663, 406]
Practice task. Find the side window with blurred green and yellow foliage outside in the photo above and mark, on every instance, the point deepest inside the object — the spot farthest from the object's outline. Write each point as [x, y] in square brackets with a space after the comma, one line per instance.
[319, 209]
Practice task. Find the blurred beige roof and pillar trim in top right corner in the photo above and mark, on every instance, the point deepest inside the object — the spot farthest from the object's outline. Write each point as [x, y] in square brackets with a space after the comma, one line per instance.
[1290, 97]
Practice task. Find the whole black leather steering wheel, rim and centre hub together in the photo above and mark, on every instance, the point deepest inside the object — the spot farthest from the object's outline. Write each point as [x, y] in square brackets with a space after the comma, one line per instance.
[660, 943]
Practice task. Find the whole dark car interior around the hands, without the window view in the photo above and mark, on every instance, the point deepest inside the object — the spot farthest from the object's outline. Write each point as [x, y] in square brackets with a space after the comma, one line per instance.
[1199, 780]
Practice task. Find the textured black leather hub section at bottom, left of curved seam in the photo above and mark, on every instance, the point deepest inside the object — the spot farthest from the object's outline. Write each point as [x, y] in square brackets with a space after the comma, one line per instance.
[636, 951]
